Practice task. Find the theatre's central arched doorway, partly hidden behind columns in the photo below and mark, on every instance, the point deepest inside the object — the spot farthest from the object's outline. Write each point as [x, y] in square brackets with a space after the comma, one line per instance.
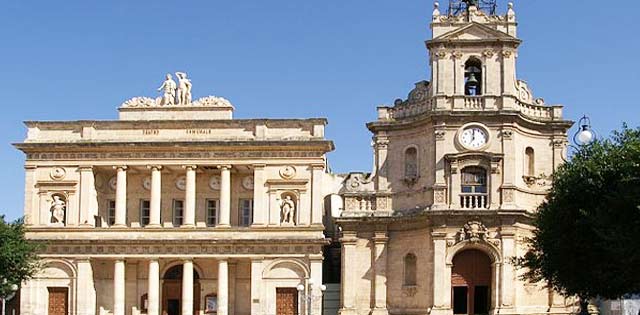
[172, 291]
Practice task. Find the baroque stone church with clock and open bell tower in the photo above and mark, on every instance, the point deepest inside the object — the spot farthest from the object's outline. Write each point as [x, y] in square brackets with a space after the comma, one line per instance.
[460, 166]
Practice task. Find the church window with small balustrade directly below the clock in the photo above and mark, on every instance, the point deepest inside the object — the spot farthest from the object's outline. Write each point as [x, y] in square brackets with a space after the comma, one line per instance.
[474, 188]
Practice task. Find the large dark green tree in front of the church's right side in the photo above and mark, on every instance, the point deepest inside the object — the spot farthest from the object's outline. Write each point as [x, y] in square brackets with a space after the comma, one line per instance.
[587, 242]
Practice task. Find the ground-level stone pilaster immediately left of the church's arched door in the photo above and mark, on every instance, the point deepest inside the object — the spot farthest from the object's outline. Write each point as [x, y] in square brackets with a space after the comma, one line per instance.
[441, 275]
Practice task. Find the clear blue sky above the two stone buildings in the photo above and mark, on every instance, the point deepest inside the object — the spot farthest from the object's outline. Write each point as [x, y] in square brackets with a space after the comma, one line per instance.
[78, 59]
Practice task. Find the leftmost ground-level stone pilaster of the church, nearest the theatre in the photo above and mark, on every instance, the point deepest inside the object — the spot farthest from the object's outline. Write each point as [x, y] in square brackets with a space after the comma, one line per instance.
[349, 281]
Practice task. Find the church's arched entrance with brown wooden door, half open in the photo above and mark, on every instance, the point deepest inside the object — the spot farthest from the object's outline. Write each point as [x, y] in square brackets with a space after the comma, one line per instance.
[471, 283]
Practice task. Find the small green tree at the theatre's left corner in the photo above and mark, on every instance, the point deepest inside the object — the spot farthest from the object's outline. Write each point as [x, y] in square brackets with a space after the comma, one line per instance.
[18, 256]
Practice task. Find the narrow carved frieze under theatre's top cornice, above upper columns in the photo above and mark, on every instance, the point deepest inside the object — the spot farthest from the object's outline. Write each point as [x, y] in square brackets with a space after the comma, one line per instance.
[170, 155]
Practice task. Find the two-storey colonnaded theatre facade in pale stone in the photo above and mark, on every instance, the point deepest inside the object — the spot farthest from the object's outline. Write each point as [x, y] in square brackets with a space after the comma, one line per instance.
[175, 209]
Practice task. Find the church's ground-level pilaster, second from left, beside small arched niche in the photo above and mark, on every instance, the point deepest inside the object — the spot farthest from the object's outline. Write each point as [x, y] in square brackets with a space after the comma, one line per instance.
[379, 262]
